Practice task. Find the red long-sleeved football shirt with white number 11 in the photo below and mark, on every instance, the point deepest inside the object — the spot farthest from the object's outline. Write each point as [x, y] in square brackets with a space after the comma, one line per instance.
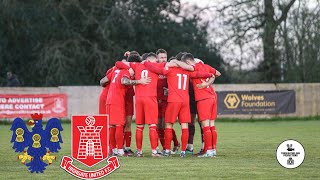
[178, 81]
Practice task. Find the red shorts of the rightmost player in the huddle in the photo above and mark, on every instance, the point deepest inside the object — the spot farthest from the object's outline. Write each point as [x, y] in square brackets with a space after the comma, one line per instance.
[207, 109]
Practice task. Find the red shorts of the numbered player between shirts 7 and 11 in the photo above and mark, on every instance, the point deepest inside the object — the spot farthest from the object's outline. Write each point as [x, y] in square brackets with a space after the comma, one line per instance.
[146, 110]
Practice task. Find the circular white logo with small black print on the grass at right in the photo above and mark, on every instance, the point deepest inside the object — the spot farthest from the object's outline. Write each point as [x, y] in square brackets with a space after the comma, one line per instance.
[290, 154]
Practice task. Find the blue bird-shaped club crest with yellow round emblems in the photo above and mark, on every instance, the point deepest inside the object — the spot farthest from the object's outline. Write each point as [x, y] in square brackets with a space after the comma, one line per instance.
[37, 144]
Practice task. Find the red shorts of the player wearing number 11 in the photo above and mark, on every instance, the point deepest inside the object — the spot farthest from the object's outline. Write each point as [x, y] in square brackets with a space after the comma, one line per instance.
[178, 109]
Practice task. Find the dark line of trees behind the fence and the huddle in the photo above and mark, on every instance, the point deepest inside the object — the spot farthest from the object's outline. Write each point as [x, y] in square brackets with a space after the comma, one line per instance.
[53, 42]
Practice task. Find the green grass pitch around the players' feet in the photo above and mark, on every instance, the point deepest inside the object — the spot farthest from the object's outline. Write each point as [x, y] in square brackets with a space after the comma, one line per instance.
[246, 150]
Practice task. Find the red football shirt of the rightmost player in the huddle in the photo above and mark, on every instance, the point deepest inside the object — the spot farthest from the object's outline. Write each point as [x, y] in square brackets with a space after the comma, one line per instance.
[204, 93]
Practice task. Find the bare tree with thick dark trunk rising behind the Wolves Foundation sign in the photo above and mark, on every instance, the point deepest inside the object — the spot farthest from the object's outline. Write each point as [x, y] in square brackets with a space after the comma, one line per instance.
[255, 21]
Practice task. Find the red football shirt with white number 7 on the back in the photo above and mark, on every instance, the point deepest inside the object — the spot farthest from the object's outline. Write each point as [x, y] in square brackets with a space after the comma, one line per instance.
[117, 91]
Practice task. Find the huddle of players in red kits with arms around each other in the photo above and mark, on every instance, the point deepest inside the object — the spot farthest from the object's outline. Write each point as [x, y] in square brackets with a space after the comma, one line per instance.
[162, 96]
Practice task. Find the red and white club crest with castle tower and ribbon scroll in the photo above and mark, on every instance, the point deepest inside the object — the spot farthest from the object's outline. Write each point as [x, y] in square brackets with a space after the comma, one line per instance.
[90, 137]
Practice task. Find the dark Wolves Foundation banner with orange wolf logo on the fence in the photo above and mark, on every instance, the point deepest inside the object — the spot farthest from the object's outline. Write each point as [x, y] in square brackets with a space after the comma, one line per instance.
[256, 102]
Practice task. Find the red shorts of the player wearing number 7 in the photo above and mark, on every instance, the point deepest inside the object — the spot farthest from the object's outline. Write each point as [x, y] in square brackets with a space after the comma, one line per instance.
[116, 114]
